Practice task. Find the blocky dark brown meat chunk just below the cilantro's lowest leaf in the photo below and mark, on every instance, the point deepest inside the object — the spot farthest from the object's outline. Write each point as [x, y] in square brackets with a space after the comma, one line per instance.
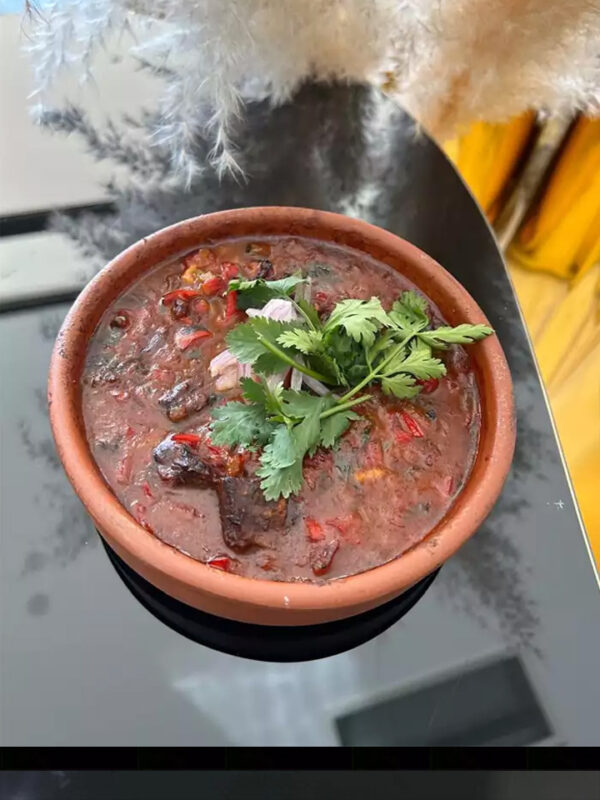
[245, 512]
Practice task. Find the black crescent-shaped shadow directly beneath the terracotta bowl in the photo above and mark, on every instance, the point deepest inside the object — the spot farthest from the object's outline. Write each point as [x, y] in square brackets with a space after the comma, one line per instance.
[264, 642]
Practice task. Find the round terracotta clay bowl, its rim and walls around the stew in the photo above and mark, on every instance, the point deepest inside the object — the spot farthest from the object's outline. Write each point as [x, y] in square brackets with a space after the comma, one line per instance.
[247, 599]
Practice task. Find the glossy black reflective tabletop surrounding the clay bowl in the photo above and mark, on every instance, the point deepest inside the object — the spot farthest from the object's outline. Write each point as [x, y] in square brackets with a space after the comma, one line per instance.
[504, 648]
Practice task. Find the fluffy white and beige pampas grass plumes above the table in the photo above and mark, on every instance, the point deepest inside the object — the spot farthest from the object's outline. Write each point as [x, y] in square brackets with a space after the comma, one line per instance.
[449, 62]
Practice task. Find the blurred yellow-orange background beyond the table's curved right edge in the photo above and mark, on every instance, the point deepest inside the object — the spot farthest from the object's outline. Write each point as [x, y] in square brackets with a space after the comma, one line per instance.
[553, 255]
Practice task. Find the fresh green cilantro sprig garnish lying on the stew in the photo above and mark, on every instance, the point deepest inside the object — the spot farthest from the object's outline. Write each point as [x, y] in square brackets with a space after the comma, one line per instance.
[357, 345]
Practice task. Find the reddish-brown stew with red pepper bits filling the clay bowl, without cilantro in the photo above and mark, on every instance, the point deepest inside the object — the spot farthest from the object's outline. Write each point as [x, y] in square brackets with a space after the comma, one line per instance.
[147, 401]
